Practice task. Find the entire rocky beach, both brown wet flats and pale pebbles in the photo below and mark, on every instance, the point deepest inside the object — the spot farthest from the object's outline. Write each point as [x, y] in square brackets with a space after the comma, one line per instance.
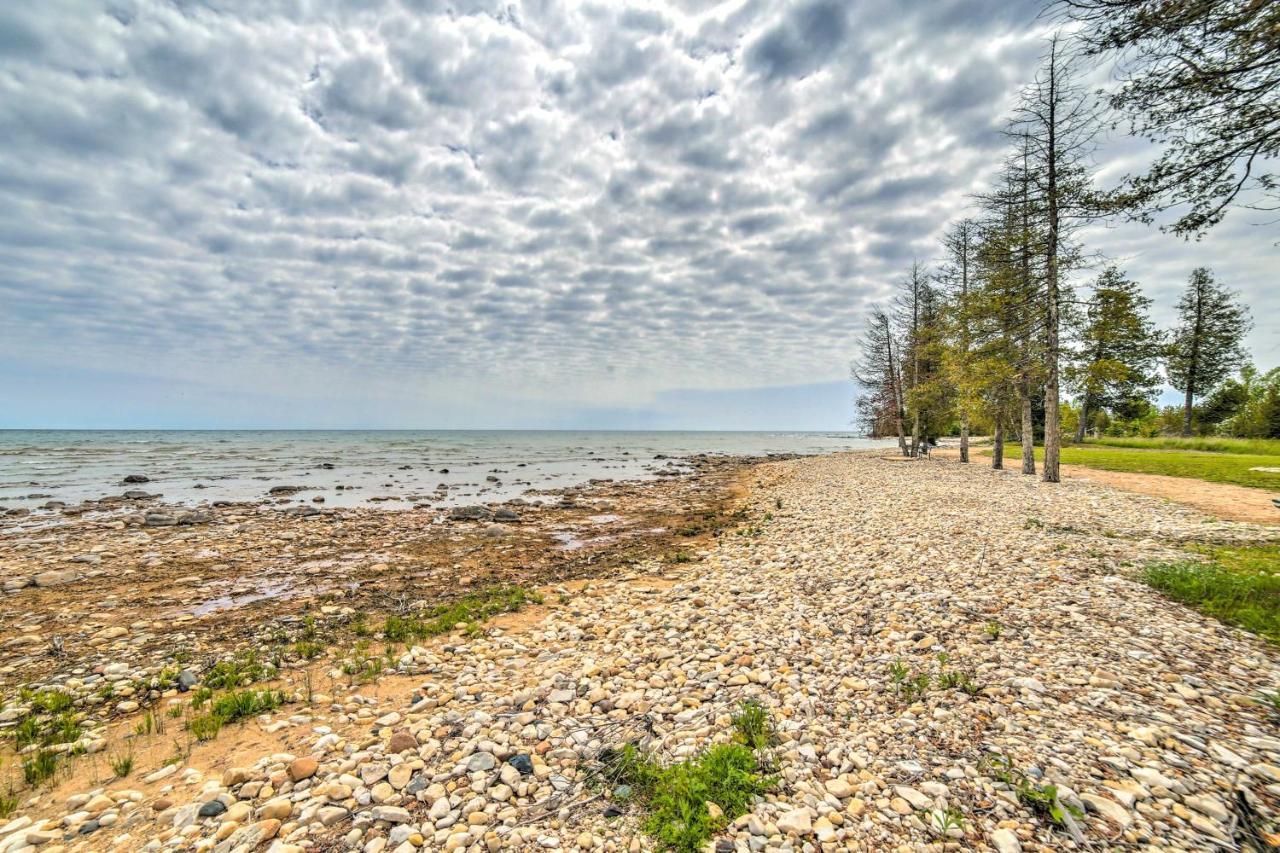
[949, 658]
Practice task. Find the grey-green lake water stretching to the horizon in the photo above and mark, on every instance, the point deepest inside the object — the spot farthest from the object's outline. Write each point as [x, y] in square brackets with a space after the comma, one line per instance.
[196, 467]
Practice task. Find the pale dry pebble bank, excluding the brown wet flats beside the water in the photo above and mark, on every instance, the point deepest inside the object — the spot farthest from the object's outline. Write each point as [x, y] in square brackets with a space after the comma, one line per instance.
[830, 572]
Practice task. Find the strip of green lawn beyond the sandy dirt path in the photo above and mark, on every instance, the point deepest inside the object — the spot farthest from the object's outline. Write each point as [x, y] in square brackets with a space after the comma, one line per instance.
[1224, 467]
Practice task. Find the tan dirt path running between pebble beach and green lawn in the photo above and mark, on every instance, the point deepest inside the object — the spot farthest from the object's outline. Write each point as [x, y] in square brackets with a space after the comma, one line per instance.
[1220, 500]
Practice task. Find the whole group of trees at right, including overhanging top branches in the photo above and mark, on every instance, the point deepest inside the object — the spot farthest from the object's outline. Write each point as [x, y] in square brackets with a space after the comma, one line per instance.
[995, 335]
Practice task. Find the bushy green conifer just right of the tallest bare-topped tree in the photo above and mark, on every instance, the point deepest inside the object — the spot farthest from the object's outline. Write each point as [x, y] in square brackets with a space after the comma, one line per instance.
[1119, 346]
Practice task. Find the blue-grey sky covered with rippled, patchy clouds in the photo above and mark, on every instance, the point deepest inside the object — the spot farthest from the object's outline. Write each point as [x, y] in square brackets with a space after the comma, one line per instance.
[519, 215]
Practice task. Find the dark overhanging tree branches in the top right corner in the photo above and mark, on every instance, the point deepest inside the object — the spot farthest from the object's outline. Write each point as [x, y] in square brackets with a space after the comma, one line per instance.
[1203, 80]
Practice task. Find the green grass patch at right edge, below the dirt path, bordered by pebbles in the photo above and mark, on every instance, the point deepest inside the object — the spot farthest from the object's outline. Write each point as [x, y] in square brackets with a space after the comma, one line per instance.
[1240, 586]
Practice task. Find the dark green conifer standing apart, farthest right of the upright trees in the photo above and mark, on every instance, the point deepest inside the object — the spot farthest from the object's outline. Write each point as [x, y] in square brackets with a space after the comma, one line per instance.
[1206, 346]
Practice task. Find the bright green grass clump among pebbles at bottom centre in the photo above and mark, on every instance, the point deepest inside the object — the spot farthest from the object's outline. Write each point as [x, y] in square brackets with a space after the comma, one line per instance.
[692, 801]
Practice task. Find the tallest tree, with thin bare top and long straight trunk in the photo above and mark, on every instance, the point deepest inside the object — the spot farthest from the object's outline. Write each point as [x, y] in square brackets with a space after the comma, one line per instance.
[1057, 125]
